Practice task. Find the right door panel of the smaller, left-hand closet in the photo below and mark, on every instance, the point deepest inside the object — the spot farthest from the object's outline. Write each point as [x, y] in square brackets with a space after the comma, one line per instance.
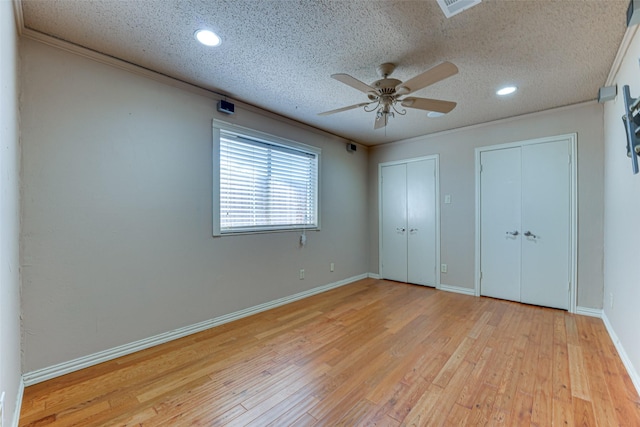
[421, 211]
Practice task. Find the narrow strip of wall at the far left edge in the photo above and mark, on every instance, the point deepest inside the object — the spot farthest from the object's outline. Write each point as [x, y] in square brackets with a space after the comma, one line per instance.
[9, 213]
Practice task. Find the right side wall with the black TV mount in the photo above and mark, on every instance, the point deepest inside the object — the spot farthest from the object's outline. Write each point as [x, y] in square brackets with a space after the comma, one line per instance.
[622, 210]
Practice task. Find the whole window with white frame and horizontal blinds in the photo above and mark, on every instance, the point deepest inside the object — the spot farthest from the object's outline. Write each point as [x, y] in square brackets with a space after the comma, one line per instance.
[263, 183]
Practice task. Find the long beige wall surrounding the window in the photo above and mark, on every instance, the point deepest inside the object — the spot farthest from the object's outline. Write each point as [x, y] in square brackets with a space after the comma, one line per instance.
[117, 234]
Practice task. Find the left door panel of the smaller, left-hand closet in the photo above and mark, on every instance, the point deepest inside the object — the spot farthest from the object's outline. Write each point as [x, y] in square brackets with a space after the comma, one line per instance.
[394, 222]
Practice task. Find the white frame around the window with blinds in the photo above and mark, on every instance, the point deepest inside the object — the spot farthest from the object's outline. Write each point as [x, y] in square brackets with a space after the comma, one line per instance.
[266, 138]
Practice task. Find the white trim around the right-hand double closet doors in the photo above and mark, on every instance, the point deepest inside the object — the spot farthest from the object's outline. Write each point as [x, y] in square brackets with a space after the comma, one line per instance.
[572, 138]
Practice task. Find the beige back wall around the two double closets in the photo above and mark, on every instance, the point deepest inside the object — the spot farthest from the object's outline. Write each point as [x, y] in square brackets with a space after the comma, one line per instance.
[457, 178]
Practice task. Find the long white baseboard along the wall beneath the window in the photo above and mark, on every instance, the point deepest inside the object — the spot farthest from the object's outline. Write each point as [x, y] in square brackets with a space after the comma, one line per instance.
[60, 369]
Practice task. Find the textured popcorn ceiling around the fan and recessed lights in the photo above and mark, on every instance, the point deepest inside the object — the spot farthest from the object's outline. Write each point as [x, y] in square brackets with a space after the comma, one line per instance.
[279, 55]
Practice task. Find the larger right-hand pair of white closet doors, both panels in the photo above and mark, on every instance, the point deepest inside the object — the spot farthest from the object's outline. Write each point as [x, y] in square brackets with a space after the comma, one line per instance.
[525, 223]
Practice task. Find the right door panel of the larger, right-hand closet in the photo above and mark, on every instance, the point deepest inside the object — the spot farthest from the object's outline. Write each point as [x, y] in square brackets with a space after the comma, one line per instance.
[546, 174]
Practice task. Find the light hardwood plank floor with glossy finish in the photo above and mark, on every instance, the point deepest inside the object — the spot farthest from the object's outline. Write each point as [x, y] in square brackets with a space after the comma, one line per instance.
[369, 353]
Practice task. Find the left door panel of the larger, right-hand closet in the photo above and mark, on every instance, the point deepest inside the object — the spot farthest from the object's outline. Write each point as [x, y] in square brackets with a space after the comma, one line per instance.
[500, 214]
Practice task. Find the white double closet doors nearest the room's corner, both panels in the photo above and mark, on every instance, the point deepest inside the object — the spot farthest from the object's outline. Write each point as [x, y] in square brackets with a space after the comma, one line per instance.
[409, 221]
